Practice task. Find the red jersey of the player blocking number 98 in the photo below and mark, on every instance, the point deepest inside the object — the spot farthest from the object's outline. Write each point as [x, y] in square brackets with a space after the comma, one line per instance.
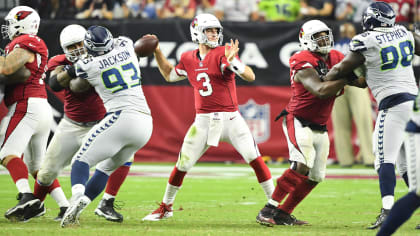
[303, 104]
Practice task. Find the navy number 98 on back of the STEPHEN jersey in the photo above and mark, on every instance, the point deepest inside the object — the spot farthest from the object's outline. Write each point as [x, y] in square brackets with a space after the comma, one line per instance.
[391, 55]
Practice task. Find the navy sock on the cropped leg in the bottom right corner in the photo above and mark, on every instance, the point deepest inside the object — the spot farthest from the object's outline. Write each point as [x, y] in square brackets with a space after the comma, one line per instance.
[400, 213]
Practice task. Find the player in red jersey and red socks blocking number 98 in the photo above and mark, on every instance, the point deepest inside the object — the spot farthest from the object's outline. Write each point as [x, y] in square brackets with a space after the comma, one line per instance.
[304, 123]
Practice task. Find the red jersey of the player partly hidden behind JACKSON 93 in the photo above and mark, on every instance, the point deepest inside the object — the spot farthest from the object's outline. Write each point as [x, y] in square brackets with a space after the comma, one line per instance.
[80, 107]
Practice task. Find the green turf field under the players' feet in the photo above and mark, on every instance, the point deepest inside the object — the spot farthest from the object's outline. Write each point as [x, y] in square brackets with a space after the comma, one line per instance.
[211, 203]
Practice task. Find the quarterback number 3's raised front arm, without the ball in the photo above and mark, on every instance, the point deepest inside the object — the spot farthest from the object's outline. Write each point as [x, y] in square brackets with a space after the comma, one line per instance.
[244, 71]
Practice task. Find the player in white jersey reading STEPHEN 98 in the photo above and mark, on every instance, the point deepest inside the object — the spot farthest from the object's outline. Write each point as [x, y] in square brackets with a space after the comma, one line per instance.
[386, 50]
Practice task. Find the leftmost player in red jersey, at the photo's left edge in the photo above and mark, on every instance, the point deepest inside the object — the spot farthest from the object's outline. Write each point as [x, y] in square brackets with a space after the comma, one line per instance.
[26, 127]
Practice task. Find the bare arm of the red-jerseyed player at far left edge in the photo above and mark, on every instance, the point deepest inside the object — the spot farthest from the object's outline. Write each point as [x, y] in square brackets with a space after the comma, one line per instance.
[15, 60]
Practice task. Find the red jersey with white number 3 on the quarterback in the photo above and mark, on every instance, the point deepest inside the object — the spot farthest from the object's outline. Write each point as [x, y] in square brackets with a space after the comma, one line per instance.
[214, 85]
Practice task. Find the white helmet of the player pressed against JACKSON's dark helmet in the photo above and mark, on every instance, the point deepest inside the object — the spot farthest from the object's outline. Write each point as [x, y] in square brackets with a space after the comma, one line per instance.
[70, 35]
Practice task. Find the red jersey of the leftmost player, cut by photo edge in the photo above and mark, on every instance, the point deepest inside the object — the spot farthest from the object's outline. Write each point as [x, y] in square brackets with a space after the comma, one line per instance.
[34, 86]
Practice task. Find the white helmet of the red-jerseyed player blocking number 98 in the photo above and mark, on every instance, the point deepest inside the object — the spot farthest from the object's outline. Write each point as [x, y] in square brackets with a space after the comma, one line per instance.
[309, 42]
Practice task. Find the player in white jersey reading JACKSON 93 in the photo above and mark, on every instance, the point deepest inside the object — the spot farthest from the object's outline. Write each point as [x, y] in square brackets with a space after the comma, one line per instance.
[112, 69]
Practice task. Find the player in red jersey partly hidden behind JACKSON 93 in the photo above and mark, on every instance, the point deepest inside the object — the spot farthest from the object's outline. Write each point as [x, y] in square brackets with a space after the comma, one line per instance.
[81, 111]
